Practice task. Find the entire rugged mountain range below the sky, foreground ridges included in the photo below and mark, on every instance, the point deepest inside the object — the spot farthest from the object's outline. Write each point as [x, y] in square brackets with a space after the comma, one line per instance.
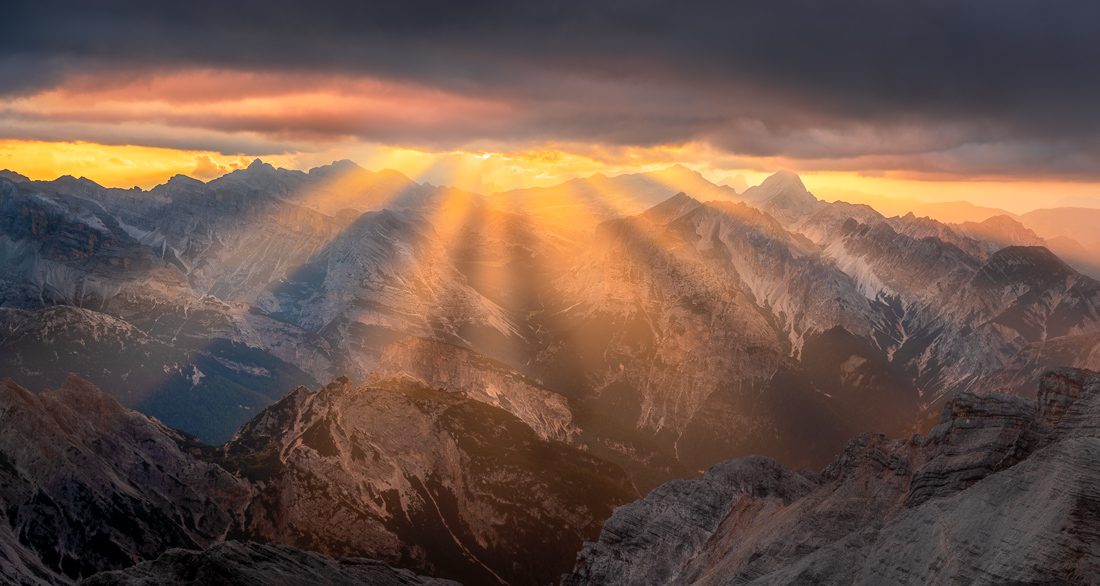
[493, 375]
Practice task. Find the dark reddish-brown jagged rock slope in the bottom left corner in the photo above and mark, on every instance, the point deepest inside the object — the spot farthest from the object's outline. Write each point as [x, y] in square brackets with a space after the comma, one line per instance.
[87, 485]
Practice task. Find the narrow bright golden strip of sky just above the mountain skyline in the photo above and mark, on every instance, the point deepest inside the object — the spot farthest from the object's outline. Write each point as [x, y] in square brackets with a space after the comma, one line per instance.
[490, 171]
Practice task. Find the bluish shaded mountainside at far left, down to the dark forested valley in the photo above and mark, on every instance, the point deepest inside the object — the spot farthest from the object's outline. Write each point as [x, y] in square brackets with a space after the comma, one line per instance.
[75, 285]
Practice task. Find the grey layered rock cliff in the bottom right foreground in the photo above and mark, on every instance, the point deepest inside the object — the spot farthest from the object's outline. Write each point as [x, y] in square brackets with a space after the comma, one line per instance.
[1003, 491]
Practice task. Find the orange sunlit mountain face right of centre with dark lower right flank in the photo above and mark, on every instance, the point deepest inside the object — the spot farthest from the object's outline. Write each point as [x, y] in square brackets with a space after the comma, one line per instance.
[698, 330]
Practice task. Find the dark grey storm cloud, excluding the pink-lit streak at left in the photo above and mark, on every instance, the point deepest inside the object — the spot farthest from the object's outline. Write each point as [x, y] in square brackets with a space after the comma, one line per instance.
[798, 79]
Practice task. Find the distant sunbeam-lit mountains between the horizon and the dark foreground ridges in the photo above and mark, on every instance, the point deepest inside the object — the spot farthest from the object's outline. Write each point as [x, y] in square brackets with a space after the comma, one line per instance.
[661, 322]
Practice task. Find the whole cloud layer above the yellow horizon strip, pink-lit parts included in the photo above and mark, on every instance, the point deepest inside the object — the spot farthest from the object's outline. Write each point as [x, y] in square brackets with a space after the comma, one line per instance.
[978, 87]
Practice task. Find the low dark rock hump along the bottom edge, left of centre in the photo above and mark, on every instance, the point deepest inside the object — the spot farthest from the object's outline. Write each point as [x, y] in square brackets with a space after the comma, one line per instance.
[255, 565]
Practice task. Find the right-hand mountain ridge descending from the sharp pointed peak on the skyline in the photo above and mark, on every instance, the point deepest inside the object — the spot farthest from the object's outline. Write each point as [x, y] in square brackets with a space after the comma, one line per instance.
[961, 309]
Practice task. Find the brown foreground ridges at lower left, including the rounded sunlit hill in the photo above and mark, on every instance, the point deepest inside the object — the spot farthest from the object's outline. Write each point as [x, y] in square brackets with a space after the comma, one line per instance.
[90, 487]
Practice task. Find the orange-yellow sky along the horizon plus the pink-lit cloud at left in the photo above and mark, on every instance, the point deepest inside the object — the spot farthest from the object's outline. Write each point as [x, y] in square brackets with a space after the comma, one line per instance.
[124, 130]
